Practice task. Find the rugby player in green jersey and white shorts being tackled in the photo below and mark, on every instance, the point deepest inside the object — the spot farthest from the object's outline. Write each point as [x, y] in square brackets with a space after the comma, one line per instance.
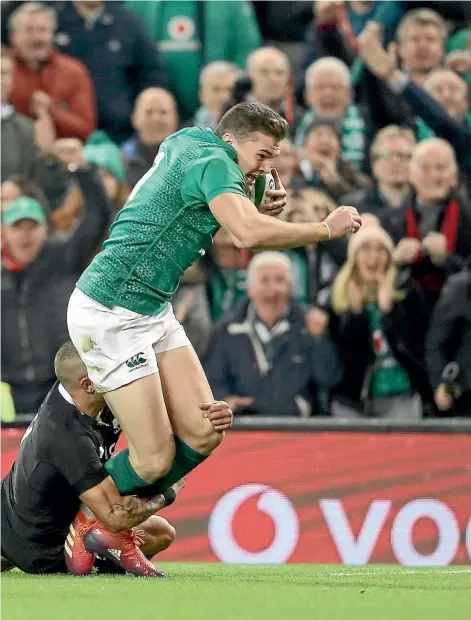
[120, 318]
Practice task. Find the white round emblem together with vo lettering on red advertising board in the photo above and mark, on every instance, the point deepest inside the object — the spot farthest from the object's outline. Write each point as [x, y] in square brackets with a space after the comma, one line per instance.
[257, 524]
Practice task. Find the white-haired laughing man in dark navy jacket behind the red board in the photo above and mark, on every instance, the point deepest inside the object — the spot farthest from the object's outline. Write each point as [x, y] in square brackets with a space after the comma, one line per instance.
[263, 359]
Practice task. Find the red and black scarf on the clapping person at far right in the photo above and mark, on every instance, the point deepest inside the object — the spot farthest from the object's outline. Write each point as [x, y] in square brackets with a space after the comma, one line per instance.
[432, 282]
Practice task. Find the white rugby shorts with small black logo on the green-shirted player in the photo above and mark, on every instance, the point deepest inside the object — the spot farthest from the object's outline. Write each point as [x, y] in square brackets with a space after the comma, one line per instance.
[119, 346]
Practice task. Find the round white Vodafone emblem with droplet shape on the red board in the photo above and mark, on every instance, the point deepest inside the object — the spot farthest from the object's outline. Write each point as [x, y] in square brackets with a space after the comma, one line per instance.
[271, 502]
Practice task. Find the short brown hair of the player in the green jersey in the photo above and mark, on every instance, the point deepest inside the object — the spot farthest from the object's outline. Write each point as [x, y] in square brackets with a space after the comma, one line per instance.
[245, 119]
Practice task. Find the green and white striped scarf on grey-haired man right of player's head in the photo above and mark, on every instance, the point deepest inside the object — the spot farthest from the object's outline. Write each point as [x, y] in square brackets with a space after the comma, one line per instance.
[352, 137]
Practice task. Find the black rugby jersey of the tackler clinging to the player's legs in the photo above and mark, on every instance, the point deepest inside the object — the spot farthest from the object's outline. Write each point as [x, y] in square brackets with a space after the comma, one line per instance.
[61, 456]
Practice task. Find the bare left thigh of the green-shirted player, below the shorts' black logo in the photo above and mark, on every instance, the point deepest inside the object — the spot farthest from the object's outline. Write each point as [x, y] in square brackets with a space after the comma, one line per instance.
[140, 409]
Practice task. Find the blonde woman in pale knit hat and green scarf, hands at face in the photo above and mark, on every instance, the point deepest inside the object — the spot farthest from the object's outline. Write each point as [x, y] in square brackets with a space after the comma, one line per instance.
[379, 329]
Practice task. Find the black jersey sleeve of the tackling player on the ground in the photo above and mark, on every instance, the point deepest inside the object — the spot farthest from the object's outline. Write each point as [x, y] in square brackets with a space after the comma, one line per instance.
[79, 463]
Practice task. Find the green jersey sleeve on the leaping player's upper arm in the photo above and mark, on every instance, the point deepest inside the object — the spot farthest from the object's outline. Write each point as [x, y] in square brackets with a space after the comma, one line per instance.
[212, 176]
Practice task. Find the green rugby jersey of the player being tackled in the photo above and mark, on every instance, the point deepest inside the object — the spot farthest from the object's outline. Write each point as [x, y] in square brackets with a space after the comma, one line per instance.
[165, 225]
